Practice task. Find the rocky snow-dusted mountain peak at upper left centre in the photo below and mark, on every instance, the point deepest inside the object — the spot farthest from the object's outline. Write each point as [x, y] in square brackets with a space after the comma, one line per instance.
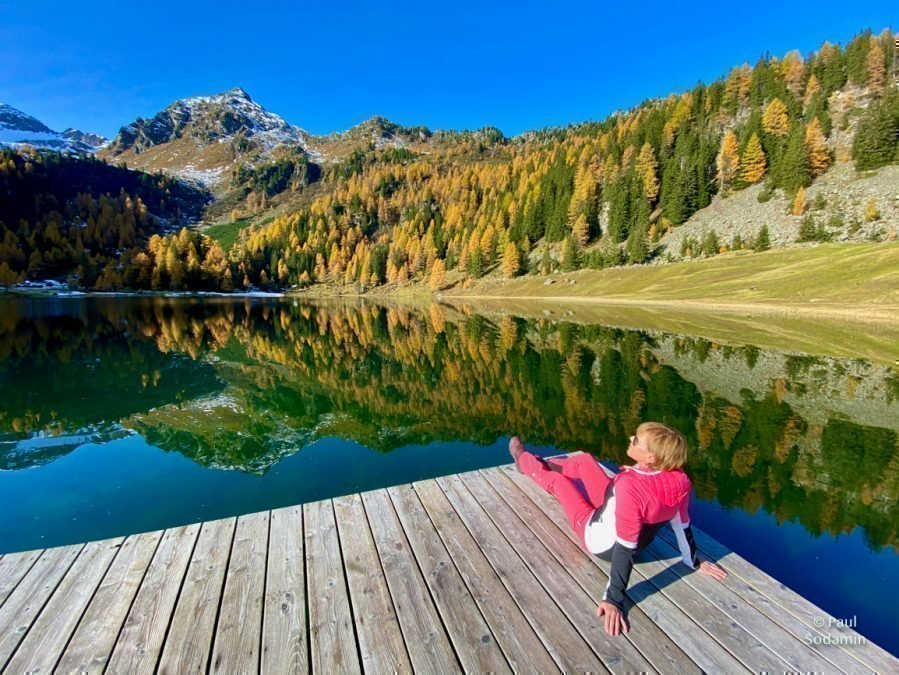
[201, 138]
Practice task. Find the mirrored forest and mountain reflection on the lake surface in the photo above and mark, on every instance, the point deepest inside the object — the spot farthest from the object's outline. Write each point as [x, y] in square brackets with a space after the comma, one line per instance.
[242, 385]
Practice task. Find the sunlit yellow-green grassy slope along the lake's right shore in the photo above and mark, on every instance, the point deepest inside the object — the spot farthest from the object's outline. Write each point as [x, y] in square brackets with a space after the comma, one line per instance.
[834, 275]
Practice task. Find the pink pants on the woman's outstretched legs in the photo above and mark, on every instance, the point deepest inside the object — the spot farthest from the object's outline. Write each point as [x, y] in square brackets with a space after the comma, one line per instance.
[578, 508]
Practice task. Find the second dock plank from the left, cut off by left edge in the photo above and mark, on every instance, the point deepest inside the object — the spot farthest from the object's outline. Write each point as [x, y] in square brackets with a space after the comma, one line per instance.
[26, 601]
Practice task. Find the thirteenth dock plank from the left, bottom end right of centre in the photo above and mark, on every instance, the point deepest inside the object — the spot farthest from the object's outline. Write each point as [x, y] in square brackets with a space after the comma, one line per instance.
[521, 645]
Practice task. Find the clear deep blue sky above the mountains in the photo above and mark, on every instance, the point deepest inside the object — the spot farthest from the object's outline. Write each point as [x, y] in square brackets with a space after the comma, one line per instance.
[329, 65]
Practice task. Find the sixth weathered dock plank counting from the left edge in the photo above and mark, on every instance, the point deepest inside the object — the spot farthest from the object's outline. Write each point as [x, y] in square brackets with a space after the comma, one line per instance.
[190, 635]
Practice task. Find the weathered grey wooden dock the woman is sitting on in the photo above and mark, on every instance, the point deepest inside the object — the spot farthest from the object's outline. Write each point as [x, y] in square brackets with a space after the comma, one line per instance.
[473, 572]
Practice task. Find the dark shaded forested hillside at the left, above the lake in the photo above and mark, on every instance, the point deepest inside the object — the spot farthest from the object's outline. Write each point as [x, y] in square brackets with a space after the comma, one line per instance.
[77, 218]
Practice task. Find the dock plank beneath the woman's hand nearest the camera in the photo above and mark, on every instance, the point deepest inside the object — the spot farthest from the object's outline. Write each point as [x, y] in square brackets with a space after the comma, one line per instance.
[654, 643]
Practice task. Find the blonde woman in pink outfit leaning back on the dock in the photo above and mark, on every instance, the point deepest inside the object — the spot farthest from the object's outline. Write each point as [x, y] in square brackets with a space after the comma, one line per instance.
[622, 512]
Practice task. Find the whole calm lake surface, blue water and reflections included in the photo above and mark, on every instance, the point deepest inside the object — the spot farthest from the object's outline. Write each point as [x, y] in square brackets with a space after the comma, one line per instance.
[120, 415]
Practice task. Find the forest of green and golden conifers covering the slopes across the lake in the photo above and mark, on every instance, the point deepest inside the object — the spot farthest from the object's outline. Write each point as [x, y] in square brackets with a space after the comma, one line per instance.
[589, 195]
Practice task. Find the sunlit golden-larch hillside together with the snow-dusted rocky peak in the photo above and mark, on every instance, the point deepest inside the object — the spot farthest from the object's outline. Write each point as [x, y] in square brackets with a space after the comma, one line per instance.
[793, 149]
